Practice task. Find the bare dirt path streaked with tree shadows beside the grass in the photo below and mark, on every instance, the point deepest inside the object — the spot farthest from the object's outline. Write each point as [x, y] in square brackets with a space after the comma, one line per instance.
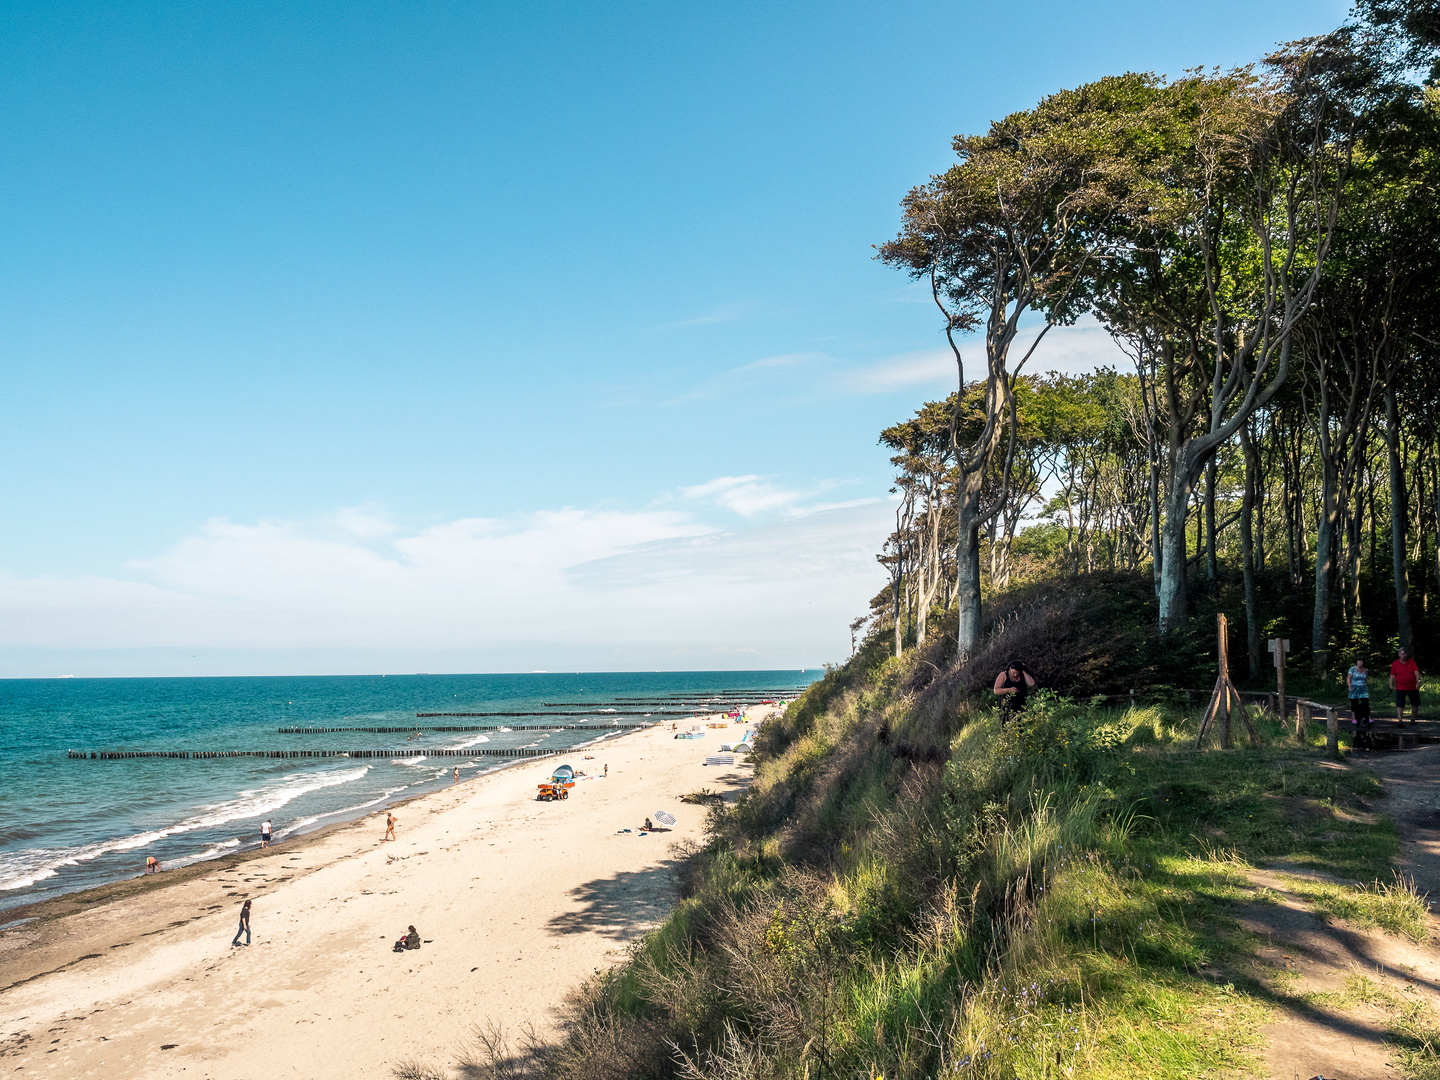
[1349, 996]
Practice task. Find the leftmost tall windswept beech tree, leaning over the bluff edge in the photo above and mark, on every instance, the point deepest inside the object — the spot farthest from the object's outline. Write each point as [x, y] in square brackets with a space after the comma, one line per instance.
[1016, 228]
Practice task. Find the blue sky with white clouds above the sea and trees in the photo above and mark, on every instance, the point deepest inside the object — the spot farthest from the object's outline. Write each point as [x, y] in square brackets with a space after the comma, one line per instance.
[294, 297]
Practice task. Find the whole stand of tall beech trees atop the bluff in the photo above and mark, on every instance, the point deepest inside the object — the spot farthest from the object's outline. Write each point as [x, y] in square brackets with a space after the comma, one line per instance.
[1265, 244]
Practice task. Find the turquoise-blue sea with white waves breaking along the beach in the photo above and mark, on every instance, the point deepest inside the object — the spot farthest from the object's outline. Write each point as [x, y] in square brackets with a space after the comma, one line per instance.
[73, 824]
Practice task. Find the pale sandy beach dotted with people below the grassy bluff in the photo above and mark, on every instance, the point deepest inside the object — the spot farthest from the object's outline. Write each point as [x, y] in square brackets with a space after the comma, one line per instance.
[515, 899]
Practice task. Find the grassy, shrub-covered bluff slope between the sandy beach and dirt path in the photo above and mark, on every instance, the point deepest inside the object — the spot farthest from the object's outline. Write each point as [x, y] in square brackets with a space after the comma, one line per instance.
[908, 891]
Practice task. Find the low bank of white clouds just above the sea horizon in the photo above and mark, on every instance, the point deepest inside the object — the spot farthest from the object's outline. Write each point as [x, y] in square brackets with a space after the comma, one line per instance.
[572, 588]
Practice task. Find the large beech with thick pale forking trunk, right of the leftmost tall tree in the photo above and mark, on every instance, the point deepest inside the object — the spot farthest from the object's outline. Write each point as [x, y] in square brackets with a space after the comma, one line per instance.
[1223, 264]
